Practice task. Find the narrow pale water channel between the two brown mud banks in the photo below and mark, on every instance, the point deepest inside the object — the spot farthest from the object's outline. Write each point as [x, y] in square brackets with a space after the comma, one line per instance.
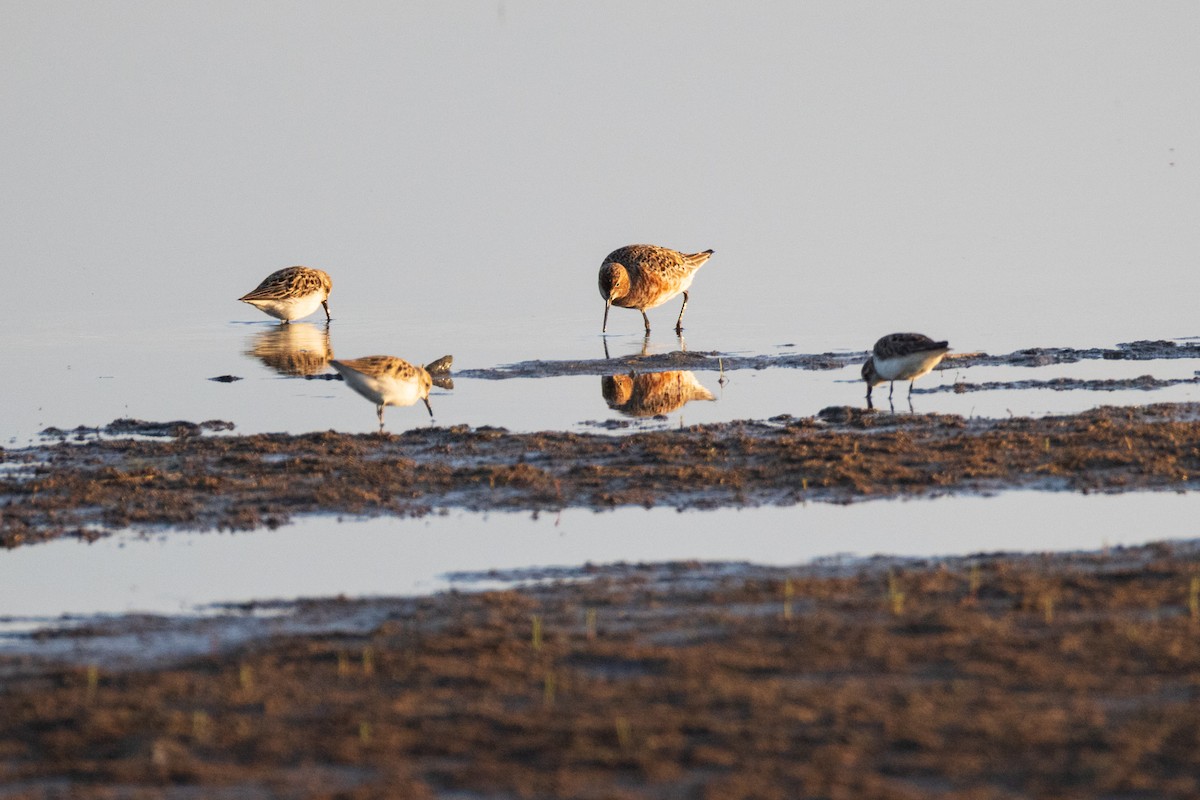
[183, 573]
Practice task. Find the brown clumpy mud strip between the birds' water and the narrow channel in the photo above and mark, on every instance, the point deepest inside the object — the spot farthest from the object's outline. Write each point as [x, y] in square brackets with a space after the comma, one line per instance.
[843, 455]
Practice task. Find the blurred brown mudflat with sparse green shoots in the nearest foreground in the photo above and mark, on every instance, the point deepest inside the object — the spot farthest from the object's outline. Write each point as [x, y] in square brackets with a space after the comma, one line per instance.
[987, 677]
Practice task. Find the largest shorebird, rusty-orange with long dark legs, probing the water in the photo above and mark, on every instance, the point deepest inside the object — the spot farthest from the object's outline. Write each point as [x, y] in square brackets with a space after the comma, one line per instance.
[645, 276]
